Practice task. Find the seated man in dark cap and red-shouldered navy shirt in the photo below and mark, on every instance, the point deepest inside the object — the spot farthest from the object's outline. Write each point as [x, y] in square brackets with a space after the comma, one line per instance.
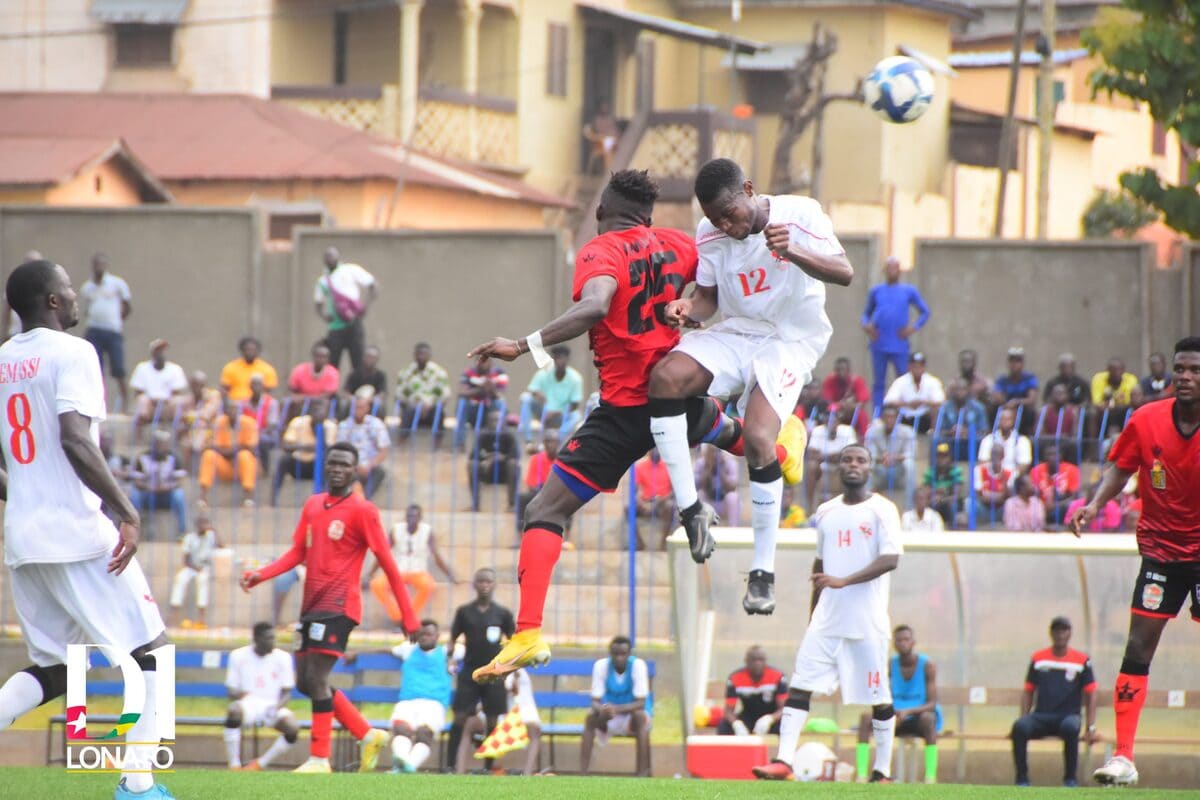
[1055, 685]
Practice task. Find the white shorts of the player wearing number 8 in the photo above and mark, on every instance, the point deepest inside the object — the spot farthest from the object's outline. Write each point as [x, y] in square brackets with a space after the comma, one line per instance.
[81, 603]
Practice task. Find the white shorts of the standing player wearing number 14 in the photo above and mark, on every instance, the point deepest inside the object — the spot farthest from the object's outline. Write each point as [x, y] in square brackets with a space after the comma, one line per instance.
[859, 666]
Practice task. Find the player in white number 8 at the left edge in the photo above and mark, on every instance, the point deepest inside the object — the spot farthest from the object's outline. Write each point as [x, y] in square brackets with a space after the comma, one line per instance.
[75, 580]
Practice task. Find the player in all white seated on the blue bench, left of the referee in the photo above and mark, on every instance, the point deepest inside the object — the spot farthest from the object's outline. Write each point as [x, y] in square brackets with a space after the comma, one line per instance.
[260, 679]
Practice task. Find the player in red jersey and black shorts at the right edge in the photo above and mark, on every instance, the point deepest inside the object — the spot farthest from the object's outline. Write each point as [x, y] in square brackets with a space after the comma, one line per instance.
[1161, 446]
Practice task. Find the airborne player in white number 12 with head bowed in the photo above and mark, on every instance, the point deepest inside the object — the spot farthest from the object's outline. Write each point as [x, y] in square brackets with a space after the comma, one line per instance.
[764, 264]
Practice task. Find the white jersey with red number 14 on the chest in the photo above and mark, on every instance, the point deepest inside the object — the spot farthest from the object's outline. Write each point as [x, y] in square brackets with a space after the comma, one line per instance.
[849, 539]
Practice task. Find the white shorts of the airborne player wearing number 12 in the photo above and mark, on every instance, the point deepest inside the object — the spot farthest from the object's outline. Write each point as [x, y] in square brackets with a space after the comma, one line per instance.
[741, 362]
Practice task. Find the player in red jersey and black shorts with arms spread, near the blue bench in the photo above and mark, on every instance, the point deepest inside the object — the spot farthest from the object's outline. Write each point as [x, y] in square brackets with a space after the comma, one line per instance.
[335, 532]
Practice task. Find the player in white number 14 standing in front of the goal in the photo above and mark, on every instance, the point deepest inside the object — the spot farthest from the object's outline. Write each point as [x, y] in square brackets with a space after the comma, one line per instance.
[847, 643]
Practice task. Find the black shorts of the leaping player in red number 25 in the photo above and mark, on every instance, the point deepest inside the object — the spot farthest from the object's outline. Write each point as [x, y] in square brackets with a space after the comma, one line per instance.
[613, 438]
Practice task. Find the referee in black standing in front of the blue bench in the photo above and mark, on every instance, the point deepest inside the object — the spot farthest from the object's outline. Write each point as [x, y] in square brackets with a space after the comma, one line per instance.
[485, 627]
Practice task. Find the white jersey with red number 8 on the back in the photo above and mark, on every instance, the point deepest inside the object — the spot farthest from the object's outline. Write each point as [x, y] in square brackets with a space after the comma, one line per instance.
[51, 516]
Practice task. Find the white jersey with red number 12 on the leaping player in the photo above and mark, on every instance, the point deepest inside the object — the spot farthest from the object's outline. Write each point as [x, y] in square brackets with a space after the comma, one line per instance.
[764, 296]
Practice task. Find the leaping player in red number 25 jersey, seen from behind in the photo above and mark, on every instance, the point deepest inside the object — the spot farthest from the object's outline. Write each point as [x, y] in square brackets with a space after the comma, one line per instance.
[625, 280]
